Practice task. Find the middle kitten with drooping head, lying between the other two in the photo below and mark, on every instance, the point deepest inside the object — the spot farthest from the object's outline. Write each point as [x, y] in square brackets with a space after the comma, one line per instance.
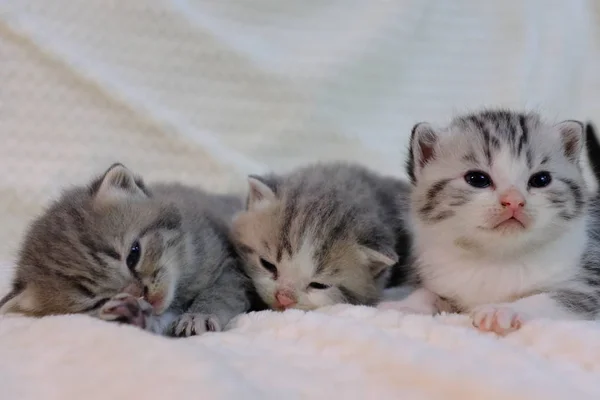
[321, 235]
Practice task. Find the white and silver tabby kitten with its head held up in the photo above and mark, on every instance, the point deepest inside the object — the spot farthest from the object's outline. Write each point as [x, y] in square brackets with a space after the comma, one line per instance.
[504, 226]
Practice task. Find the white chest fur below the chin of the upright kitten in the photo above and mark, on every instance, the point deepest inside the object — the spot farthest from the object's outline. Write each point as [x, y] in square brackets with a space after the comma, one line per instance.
[475, 281]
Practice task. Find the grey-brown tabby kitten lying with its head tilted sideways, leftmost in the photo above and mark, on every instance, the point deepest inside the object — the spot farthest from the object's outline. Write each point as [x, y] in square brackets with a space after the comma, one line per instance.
[158, 257]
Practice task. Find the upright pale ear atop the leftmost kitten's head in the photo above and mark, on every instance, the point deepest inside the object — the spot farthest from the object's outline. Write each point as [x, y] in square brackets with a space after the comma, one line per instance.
[117, 183]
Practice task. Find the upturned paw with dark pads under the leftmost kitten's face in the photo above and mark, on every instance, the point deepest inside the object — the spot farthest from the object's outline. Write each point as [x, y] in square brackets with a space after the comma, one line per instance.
[126, 309]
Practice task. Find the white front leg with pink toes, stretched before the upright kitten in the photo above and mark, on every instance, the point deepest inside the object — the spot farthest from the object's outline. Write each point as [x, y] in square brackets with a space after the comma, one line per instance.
[504, 318]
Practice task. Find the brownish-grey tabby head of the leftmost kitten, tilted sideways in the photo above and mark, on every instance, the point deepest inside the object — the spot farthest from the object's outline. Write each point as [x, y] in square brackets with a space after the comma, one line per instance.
[97, 242]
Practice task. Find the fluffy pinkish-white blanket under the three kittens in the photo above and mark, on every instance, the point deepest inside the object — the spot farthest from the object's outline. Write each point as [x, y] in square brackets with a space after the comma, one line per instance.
[343, 352]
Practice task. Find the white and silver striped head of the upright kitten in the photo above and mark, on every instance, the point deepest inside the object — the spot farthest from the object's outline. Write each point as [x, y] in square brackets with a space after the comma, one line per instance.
[497, 180]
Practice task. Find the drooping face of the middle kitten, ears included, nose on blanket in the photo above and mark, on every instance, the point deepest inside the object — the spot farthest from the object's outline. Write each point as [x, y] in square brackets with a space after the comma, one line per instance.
[294, 267]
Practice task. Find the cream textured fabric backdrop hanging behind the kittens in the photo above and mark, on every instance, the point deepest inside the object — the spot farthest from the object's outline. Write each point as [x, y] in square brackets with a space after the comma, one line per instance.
[208, 91]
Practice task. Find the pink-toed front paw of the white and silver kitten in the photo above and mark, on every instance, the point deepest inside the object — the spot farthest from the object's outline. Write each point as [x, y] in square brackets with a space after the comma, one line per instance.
[500, 319]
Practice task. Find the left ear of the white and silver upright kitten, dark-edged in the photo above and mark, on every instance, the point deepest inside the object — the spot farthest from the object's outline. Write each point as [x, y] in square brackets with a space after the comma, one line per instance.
[422, 149]
